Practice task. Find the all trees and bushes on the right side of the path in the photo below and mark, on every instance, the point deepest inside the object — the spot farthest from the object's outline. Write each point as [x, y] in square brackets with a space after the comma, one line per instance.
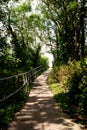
[66, 26]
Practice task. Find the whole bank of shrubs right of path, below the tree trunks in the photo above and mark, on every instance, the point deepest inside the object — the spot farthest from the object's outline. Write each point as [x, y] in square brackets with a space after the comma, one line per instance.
[69, 85]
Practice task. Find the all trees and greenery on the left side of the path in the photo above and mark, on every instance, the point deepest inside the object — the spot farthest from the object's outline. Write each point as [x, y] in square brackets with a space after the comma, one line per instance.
[20, 51]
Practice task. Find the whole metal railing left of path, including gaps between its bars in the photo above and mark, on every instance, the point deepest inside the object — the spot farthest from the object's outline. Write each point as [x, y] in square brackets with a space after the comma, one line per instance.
[18, 82]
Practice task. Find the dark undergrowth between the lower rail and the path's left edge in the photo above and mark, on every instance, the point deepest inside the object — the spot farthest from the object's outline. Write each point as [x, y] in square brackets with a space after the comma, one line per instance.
[11, 106]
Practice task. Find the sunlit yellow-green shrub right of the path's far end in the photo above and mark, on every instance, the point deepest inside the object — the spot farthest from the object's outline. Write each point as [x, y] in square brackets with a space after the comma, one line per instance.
[63, 71]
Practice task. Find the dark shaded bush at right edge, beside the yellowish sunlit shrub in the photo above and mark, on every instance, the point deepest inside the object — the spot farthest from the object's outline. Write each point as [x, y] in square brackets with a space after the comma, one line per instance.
[78, 88]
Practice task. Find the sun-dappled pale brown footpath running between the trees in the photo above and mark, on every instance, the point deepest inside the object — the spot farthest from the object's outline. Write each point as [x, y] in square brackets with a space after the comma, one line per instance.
[41, 112]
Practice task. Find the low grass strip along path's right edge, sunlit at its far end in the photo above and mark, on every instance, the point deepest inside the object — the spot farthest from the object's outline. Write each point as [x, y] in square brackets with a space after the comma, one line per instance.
[62, 99]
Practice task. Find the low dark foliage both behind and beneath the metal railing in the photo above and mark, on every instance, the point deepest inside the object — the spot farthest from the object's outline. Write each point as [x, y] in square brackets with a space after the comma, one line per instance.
[13, 104]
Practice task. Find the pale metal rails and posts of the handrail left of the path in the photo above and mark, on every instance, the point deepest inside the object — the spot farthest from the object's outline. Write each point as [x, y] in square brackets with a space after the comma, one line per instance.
[25, 79]
